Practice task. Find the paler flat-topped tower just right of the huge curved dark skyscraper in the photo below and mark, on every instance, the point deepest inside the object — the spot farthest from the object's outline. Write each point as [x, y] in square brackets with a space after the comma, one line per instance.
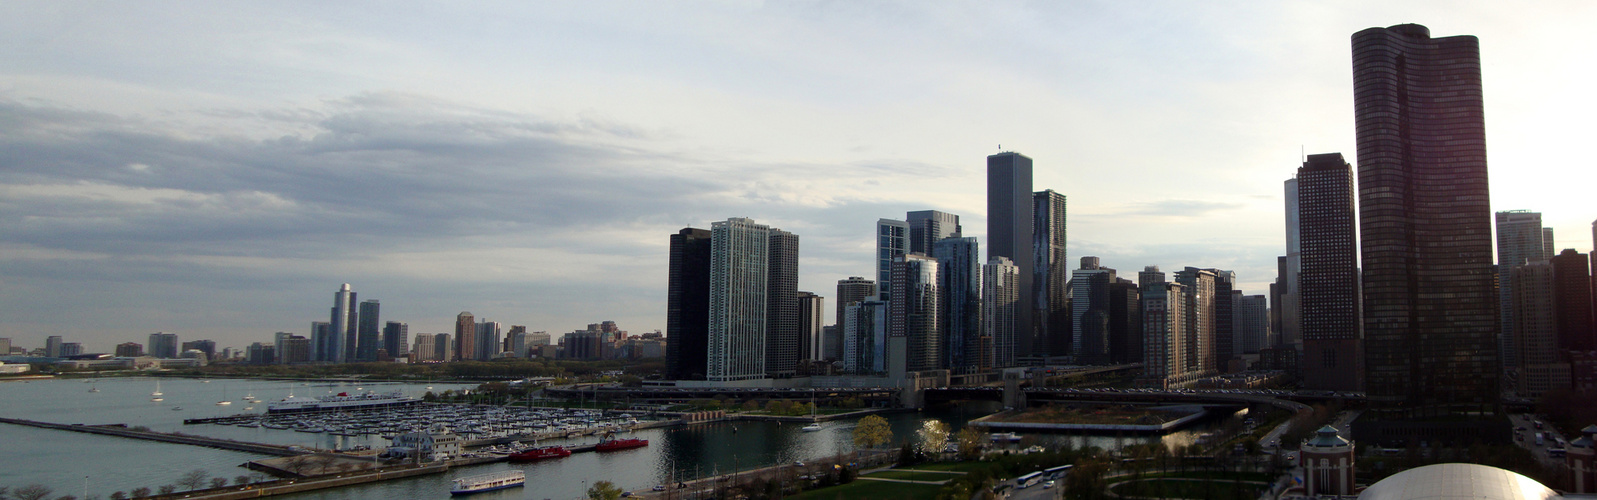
[1521, 240]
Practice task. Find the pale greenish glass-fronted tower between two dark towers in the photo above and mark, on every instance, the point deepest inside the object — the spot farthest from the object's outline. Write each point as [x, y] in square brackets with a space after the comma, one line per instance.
[740, 252]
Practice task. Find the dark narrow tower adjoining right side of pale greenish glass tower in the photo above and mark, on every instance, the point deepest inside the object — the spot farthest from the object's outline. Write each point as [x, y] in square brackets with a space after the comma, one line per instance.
[783, 336]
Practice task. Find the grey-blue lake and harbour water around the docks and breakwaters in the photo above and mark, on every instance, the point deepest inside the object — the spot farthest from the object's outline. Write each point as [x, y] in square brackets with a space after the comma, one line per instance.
[61, 459]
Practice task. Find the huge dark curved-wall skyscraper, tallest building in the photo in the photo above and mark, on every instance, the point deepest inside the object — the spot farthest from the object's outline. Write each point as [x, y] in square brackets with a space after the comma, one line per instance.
[1425, 215]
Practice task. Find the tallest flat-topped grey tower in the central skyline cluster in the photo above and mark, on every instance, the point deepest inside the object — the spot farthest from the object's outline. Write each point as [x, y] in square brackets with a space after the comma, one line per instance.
[1010, 212]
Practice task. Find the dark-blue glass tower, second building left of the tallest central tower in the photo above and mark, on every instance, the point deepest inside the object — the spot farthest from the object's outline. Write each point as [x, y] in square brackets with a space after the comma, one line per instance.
[961, 315]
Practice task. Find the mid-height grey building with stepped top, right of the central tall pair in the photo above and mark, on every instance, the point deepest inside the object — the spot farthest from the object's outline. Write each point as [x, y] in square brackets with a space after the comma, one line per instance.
[1090, 312]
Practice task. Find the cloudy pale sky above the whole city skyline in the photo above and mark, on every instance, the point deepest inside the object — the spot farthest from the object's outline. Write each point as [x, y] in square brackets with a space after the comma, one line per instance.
[220, 169]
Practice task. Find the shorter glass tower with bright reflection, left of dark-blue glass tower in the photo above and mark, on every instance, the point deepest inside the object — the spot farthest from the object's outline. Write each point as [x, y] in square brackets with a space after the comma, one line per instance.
[913, 311]
